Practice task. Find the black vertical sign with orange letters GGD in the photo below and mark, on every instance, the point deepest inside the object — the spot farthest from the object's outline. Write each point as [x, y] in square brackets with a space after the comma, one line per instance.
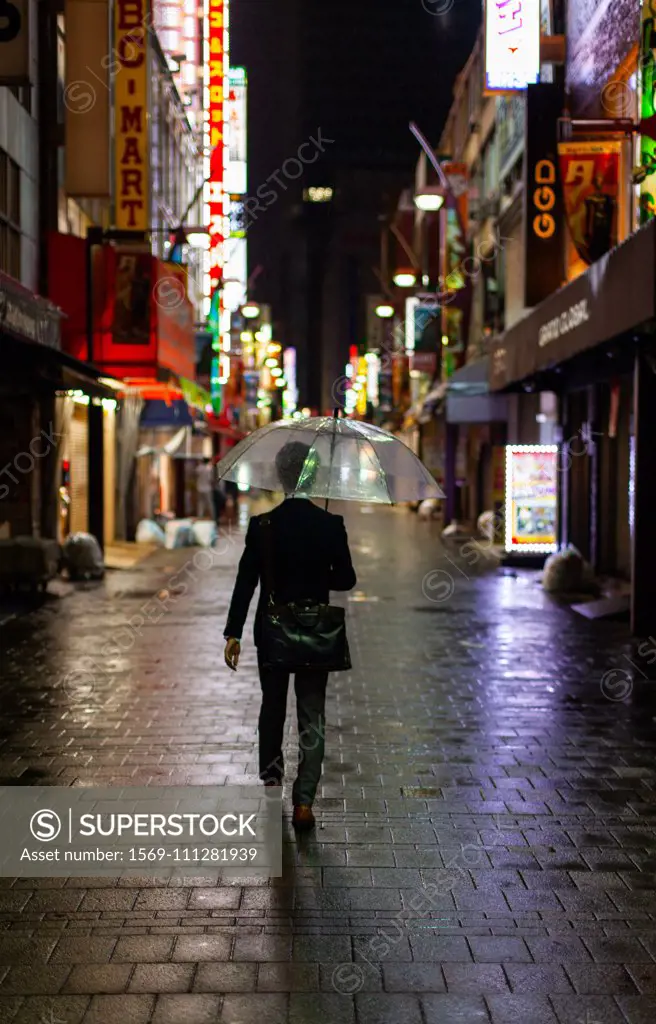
[544, 228]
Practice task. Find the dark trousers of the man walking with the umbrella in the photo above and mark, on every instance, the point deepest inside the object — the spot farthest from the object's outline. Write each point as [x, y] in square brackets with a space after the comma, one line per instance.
[311, 706]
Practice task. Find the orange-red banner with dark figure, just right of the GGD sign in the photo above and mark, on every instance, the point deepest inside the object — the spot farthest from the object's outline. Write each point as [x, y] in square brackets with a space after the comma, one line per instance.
[592, 174]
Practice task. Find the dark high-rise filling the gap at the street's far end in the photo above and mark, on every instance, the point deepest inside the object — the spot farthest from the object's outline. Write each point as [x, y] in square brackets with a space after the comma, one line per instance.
[347, 79]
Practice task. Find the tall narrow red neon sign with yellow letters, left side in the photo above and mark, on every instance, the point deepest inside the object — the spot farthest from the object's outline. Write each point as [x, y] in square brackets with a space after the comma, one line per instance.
[216, 198]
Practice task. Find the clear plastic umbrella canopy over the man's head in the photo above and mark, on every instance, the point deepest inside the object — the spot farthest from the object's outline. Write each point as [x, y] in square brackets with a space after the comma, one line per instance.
[346, 460]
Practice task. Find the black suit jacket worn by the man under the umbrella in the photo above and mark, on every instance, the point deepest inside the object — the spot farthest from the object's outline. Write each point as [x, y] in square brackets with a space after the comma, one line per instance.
[312, 558]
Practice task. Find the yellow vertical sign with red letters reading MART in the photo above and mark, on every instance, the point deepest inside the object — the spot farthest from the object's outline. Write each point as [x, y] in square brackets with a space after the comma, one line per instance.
[133, 149]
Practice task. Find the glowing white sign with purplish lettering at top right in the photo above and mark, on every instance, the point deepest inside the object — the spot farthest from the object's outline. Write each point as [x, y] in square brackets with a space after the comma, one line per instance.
[512, 45]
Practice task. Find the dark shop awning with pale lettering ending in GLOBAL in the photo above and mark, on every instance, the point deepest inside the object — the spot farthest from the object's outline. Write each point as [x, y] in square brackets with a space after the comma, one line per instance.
[615, 297]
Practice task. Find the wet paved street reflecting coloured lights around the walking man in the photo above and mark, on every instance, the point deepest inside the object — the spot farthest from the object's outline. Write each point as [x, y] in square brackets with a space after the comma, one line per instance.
[487, 840]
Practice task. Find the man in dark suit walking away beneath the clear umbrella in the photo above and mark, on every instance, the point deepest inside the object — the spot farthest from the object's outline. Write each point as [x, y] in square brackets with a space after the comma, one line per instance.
[300, 552]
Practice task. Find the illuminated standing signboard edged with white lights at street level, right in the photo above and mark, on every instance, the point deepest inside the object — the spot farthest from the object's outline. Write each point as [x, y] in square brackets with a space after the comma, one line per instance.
[532, 498]
